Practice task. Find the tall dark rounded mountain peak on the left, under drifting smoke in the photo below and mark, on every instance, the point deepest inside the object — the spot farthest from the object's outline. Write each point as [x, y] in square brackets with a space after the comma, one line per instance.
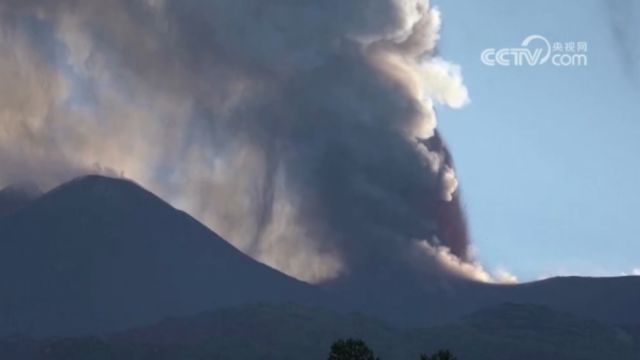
[101, 254]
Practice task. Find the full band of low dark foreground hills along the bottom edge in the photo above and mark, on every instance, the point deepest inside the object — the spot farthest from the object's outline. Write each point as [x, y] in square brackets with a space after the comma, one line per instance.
[505, 332]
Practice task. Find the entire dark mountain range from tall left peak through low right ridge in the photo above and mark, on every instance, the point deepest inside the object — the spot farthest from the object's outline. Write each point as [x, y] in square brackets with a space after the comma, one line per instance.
[98, 255]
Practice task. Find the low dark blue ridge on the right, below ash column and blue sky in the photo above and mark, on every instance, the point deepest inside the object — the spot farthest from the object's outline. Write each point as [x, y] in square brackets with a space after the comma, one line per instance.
[440, 299]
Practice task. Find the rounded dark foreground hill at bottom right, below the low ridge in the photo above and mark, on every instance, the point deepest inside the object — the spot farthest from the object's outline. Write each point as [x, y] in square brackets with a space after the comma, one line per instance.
[527, 331]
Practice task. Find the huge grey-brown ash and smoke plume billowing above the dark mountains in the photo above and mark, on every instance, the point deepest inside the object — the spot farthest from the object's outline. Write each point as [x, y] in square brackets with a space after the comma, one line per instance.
[296, 129]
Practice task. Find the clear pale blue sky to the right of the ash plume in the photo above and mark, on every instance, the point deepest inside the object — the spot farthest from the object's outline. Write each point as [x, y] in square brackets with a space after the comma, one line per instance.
[546, 156]
